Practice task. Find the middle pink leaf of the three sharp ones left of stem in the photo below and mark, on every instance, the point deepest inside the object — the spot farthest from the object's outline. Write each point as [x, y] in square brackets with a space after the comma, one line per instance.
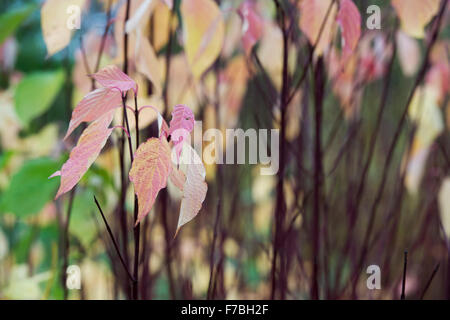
[94, 105]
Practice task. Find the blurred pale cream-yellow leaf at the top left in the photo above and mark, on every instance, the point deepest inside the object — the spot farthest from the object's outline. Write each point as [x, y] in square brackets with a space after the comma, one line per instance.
[54, 22]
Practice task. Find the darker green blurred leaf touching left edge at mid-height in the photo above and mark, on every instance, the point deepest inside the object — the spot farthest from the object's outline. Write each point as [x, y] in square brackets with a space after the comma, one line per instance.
[30, 189]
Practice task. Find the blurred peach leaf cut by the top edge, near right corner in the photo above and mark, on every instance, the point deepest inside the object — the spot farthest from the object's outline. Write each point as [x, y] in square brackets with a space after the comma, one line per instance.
[415, 15]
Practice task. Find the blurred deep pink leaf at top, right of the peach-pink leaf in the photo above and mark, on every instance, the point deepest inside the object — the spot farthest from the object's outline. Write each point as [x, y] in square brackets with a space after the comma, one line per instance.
[349, 20]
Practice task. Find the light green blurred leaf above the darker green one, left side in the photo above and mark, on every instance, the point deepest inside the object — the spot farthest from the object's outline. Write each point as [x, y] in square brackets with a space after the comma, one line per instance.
[36, 92]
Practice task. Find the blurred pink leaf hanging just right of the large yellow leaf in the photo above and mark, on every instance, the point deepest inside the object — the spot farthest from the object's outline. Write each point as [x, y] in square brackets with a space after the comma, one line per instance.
[252, 26]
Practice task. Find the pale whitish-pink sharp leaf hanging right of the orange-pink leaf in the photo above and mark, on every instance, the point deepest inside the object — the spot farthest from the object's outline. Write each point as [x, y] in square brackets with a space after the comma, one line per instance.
[195, 187]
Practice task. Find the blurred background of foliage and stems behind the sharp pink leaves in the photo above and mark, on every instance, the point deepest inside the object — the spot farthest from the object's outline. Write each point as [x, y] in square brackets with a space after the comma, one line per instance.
[324, 229]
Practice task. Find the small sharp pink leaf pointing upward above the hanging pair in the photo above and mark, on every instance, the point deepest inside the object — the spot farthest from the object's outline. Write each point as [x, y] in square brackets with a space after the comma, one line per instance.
[181, 125]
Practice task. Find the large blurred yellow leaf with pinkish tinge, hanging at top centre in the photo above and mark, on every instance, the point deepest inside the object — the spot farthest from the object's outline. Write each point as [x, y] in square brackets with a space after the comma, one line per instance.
[204, 33]
